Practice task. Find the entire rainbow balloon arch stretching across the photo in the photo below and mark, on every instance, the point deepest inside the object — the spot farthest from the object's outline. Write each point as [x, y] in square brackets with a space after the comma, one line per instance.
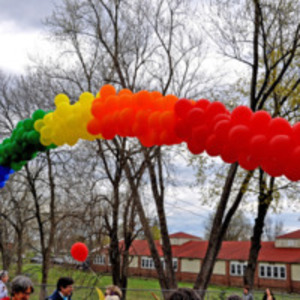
[253, 139]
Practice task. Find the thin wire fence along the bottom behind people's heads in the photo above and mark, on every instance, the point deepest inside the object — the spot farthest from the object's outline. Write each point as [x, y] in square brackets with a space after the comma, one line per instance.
[90, 293]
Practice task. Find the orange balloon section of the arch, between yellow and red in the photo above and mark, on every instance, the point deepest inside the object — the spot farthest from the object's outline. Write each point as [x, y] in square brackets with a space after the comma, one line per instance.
[148, 116]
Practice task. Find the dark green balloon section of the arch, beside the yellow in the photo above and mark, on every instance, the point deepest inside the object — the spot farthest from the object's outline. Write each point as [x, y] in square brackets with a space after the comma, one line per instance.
[23, 144]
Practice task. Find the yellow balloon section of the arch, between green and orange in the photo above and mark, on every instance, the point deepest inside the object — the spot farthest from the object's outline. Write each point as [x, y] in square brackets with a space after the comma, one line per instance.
[67, 123]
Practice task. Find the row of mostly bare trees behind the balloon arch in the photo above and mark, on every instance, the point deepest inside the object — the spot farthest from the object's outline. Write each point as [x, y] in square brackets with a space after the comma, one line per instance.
[115, 188]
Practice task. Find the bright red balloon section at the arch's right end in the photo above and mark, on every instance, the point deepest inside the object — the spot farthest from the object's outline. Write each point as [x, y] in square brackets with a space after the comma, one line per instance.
[250, 138]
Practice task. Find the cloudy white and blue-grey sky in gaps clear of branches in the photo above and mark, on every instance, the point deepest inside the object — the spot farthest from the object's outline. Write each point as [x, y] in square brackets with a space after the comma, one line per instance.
[21, 35]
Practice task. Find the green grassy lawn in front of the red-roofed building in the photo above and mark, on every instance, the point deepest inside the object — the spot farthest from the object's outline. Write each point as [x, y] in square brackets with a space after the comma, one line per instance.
[138, 288]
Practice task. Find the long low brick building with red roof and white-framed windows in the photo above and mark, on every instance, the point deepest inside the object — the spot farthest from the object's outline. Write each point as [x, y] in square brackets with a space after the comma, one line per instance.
[278, 262]
